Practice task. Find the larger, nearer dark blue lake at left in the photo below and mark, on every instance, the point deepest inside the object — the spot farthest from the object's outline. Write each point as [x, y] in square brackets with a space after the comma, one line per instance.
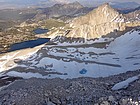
[28, 44]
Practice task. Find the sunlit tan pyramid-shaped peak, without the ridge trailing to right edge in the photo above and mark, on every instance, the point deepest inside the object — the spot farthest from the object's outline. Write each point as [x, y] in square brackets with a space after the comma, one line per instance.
[99, 22]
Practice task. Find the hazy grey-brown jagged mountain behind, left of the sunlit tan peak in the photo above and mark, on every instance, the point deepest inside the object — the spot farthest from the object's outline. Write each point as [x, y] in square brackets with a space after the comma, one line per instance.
[63, 10]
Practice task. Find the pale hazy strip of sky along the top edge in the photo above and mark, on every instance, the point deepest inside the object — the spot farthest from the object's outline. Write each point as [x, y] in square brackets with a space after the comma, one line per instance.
[51, 2]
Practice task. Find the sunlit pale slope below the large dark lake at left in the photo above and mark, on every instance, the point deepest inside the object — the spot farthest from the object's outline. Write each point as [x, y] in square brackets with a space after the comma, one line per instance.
[7, 59]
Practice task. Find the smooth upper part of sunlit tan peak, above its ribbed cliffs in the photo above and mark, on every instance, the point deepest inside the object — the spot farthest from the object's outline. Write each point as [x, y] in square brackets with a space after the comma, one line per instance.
[102, 14]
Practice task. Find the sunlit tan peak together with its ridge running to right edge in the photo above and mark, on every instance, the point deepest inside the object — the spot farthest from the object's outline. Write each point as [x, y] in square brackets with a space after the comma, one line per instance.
[97, 23]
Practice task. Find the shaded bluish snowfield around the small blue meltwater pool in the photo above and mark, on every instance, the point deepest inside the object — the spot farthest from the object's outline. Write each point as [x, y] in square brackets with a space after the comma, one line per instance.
[125, 57]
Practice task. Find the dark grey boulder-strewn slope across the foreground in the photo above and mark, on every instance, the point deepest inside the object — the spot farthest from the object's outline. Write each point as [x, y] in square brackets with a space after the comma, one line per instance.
[81, 91]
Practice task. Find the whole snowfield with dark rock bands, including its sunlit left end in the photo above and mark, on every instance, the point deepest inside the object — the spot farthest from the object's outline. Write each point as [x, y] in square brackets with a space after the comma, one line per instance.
[99, 58]
